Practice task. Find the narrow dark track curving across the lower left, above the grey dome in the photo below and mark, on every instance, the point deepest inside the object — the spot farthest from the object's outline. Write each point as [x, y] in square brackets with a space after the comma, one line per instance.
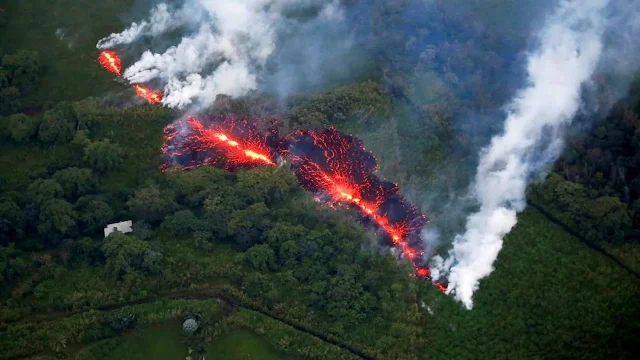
[201, 295]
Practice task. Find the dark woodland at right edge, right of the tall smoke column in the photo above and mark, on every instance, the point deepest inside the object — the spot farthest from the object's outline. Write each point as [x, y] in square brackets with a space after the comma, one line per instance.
[595, 186]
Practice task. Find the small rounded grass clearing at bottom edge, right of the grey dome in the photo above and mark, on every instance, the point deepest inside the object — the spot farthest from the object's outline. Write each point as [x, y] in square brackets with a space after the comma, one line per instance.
[242, 345]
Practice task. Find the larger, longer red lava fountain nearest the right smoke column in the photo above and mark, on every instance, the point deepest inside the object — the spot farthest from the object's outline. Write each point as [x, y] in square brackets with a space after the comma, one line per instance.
[337, 167]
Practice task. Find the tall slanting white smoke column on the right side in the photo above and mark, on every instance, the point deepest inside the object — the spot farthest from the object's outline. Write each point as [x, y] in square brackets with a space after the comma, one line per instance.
[570, 46]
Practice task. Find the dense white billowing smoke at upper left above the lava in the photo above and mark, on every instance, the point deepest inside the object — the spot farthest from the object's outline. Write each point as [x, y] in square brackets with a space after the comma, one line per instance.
[225, 55]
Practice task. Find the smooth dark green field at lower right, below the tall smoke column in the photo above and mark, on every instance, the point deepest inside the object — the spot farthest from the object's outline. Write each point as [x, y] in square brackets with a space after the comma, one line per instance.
[548, 290]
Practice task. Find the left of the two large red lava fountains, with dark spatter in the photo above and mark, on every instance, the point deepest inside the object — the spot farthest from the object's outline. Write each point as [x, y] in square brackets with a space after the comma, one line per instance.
[219, 141]
